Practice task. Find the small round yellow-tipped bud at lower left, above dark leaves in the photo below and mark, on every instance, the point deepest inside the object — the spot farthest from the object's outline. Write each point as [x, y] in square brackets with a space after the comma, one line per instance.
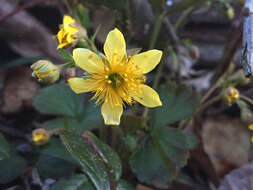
[40, 136]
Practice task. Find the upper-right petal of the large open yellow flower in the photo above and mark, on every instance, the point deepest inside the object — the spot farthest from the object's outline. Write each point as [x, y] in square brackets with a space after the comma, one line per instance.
[148, 60]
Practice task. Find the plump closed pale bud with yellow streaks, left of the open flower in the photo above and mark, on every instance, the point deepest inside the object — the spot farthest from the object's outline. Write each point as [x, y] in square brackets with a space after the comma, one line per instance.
[45, 71]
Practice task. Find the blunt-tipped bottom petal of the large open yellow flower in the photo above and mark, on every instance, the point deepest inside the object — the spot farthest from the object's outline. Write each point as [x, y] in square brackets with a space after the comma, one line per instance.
[111, 114]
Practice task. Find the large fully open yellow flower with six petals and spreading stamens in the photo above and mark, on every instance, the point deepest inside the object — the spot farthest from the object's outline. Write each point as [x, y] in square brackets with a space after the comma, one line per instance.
[117, 78]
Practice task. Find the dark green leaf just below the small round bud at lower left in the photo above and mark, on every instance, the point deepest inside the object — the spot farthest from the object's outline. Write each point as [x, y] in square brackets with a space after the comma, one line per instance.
[53, 167]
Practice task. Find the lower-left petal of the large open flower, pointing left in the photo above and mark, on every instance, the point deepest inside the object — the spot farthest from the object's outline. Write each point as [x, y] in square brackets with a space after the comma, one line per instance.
[79, 85]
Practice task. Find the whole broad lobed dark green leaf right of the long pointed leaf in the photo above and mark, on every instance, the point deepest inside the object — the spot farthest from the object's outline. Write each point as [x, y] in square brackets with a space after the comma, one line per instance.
[160, 155]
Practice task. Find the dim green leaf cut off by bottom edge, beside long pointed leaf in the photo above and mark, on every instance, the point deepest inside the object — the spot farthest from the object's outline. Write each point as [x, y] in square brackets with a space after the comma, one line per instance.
[75, 182]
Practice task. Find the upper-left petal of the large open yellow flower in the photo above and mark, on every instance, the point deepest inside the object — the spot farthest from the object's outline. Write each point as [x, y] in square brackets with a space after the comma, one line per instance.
[87, 60]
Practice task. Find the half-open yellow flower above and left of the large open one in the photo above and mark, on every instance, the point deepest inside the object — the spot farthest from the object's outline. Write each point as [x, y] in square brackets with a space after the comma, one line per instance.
[70, 32]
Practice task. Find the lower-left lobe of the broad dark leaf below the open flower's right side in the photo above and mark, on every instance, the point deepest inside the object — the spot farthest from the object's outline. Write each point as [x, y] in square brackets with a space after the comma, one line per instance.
[149, 164]
